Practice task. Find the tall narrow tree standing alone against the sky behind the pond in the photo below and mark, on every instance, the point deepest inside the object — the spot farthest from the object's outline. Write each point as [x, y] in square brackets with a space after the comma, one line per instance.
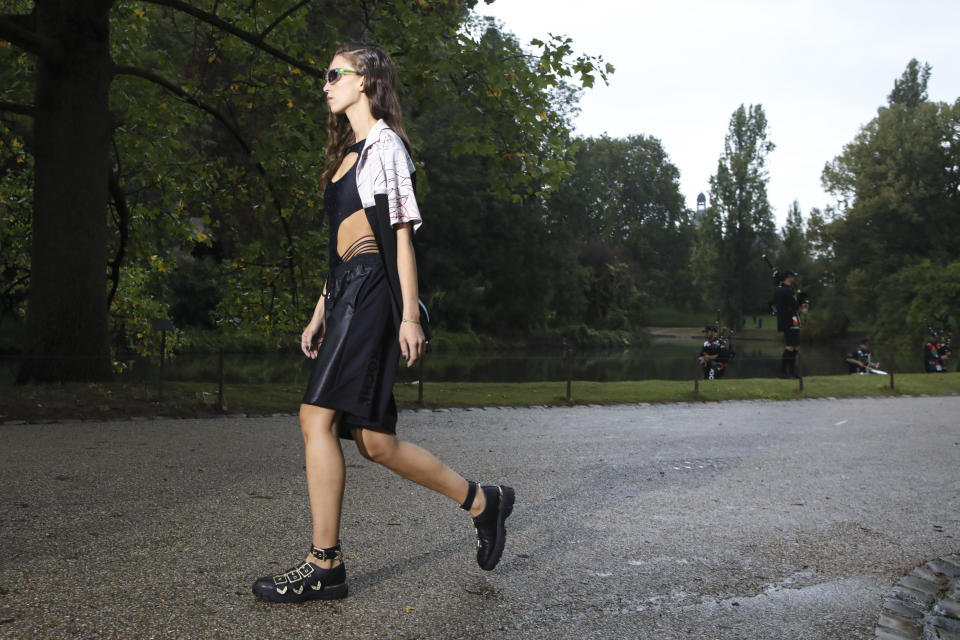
[742, 218]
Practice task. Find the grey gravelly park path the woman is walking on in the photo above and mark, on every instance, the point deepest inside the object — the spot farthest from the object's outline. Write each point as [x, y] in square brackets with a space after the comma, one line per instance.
[735, 520]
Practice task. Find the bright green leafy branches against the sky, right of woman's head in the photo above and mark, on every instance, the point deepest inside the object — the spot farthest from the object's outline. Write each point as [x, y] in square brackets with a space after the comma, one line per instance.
[511, 107]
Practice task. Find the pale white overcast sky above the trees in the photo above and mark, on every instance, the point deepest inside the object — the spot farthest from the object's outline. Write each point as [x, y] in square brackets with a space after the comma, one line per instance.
[820, 69]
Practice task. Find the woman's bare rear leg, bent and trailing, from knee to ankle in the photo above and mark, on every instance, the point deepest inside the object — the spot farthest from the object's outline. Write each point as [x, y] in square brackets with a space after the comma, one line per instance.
[415, 464]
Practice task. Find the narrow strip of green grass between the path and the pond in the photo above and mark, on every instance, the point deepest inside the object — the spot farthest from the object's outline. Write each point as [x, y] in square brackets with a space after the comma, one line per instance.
[116, 401]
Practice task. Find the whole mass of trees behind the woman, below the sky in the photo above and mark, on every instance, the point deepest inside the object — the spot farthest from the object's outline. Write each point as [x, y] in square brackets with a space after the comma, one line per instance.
[161, 160]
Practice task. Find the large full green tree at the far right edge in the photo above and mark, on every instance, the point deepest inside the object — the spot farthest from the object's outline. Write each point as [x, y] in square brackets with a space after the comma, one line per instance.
[898, 193]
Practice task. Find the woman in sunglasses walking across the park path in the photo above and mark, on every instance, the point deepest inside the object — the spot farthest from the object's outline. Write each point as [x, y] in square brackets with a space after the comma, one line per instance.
[367, 317]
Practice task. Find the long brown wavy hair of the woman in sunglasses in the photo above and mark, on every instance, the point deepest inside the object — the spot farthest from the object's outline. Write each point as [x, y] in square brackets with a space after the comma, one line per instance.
[380, 82]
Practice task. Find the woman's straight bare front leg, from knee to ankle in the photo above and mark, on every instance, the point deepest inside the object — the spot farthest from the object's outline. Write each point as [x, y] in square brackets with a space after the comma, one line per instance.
[325, 475]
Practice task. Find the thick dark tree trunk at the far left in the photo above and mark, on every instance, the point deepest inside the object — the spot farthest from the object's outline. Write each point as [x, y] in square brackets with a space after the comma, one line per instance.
[67, 317]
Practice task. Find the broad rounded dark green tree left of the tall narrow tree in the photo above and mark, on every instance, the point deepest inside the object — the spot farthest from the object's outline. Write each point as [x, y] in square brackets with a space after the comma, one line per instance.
[623, 209]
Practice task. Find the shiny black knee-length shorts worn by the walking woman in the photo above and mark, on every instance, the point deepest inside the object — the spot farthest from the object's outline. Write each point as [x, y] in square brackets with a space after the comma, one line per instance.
[356, 363]
